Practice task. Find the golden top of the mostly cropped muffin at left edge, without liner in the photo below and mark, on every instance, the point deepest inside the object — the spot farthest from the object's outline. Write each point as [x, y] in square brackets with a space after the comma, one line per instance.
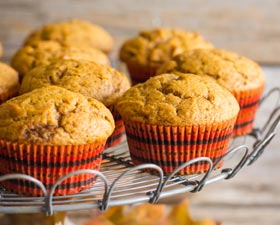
[8, 78]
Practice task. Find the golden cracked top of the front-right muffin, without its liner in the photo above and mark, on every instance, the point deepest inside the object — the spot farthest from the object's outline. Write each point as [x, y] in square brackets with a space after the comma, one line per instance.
[178, 100]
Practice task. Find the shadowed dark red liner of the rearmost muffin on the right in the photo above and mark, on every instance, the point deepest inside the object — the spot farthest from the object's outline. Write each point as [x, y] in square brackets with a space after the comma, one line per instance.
[140, 74]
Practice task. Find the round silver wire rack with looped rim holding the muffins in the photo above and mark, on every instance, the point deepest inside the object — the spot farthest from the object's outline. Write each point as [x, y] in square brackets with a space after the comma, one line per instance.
[120, 183]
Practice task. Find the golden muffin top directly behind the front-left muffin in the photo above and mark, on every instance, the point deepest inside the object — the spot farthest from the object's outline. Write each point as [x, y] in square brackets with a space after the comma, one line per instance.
[88, 78]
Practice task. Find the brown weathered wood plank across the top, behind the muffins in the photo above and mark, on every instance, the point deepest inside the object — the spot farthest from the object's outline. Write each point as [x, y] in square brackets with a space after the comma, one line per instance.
[250, 28]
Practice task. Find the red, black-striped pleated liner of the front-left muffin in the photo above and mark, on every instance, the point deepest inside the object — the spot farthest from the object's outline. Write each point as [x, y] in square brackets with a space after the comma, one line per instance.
[48, 164]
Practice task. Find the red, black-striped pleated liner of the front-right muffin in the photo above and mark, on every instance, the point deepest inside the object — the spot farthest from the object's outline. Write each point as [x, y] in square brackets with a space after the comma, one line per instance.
[171, 146]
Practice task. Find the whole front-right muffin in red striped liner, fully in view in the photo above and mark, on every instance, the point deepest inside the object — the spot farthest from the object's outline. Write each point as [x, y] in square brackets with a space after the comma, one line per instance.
[171, 119]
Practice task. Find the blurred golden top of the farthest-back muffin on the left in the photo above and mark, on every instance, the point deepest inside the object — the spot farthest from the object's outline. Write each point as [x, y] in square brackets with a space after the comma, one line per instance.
[74, 32]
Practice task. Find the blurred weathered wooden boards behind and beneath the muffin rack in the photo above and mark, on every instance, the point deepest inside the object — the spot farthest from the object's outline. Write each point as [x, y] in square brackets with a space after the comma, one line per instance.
[250, 28]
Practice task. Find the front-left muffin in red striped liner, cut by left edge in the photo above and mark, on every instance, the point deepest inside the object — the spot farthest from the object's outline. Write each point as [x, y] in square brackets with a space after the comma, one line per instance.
[50, 132]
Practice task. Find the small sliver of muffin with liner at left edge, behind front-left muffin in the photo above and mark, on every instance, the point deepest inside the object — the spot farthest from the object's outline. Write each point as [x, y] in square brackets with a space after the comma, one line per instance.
[9, 84]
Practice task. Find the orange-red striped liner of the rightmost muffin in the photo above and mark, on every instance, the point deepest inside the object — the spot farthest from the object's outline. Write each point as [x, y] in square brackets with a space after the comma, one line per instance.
[249, 103]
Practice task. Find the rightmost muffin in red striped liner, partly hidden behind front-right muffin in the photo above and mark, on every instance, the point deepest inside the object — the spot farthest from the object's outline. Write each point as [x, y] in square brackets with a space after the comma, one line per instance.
[243, 77]
